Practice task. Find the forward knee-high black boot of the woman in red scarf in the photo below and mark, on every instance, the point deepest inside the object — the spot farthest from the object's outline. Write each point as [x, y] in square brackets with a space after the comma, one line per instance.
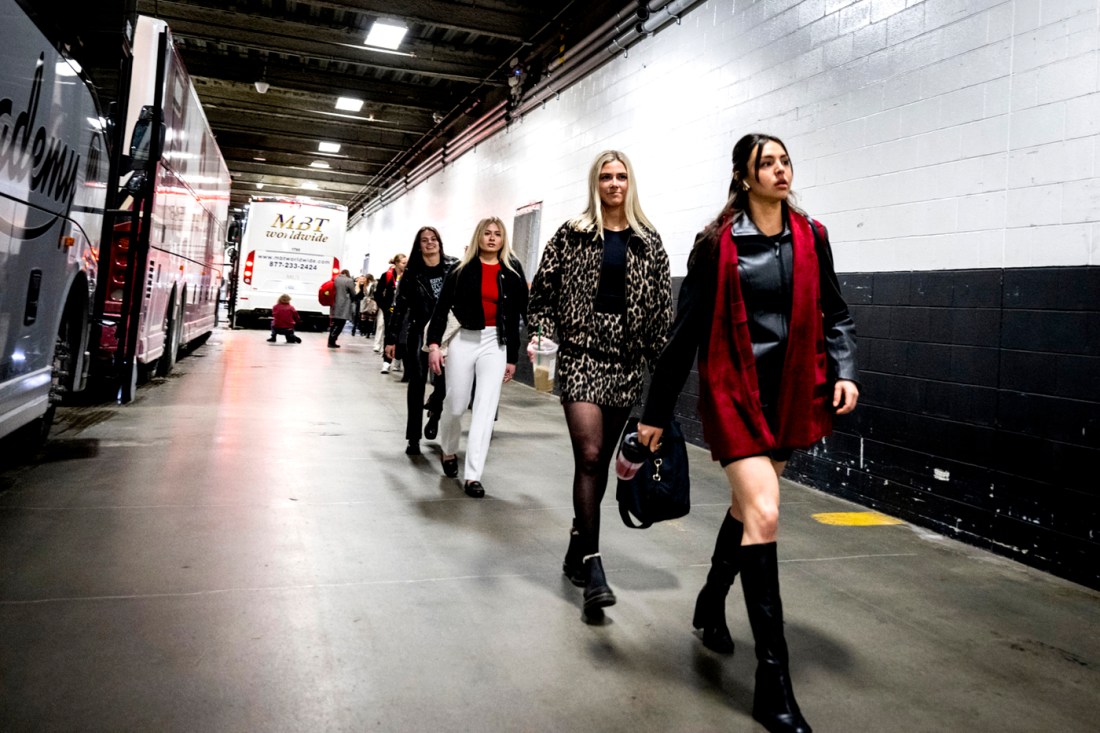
[774, 705]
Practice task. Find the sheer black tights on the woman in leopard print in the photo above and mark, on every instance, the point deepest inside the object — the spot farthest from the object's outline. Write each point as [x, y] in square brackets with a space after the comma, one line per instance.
[595, 432]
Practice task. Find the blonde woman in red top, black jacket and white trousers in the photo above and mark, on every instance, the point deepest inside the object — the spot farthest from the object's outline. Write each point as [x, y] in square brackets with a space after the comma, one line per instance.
[488, 293]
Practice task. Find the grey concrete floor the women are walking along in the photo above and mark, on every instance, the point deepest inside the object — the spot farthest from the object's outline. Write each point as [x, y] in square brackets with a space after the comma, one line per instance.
[248, 549]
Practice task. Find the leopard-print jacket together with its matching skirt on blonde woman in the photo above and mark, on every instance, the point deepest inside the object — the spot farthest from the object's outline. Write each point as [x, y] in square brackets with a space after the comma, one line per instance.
[603, 358]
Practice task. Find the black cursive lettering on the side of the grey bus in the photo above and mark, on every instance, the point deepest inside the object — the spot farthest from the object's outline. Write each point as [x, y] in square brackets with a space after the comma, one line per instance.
[30, 155]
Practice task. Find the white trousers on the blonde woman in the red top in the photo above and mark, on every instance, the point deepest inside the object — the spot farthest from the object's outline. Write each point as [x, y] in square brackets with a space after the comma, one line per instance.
[469, 355]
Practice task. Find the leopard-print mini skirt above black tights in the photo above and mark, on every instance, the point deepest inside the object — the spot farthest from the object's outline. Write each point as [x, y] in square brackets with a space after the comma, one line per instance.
[602, 369]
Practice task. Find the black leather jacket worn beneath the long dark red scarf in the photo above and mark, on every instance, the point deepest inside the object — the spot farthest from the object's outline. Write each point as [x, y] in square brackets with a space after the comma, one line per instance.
[766, 267]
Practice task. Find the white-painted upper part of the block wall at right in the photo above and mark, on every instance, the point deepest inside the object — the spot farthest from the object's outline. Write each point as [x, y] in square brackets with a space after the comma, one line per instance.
[927, 134]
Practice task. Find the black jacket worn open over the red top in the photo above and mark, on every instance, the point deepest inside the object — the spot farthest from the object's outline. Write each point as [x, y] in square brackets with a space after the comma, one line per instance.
[463, 296]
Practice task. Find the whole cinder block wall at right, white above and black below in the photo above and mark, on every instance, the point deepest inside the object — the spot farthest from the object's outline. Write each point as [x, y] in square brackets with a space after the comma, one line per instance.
[952, 149]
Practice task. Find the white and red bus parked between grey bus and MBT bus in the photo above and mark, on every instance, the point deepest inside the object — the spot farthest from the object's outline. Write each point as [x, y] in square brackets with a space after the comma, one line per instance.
[185, 221]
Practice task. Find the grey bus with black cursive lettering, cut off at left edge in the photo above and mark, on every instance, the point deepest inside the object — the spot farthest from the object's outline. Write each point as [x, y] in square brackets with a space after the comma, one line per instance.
[53, 189]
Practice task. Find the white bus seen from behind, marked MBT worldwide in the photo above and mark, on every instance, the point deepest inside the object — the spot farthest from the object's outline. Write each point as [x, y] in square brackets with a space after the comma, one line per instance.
[290, 246]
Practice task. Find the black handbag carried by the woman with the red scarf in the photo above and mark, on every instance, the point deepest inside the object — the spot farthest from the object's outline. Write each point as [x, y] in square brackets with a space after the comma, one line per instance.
[661, 490]
